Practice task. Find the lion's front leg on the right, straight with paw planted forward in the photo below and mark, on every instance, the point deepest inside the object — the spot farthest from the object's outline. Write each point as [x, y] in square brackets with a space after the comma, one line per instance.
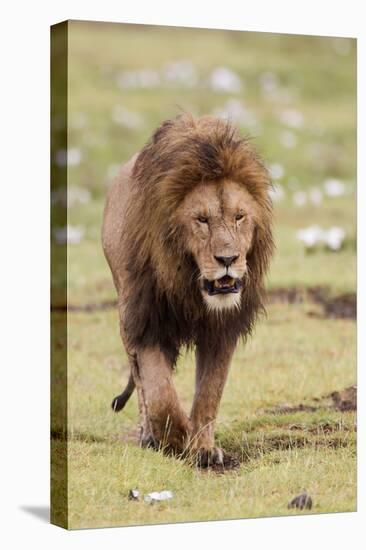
[212, 366]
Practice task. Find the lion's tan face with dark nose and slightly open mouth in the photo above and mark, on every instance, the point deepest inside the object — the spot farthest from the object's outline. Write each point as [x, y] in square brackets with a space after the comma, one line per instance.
[219, 220]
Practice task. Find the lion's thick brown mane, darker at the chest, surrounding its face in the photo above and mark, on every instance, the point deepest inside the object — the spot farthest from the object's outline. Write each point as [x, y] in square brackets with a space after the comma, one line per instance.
[164, 305]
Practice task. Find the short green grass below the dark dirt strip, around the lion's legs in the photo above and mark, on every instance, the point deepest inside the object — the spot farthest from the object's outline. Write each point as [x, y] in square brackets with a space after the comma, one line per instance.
[281, 454]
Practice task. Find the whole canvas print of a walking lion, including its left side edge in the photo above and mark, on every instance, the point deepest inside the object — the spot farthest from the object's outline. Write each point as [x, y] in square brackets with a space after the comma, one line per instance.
[203, 265]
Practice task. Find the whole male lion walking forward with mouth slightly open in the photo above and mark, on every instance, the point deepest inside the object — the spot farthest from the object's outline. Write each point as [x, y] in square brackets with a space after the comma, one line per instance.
[187, 235]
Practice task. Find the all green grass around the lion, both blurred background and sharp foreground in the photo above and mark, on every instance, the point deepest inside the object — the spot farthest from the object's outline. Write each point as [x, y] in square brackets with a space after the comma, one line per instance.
[295, 355]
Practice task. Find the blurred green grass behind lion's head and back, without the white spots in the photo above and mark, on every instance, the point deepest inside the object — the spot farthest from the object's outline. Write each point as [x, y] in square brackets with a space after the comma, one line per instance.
[320, 84]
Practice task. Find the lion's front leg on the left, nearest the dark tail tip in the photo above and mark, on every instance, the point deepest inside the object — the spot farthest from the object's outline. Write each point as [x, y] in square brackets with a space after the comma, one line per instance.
[164, 423]
